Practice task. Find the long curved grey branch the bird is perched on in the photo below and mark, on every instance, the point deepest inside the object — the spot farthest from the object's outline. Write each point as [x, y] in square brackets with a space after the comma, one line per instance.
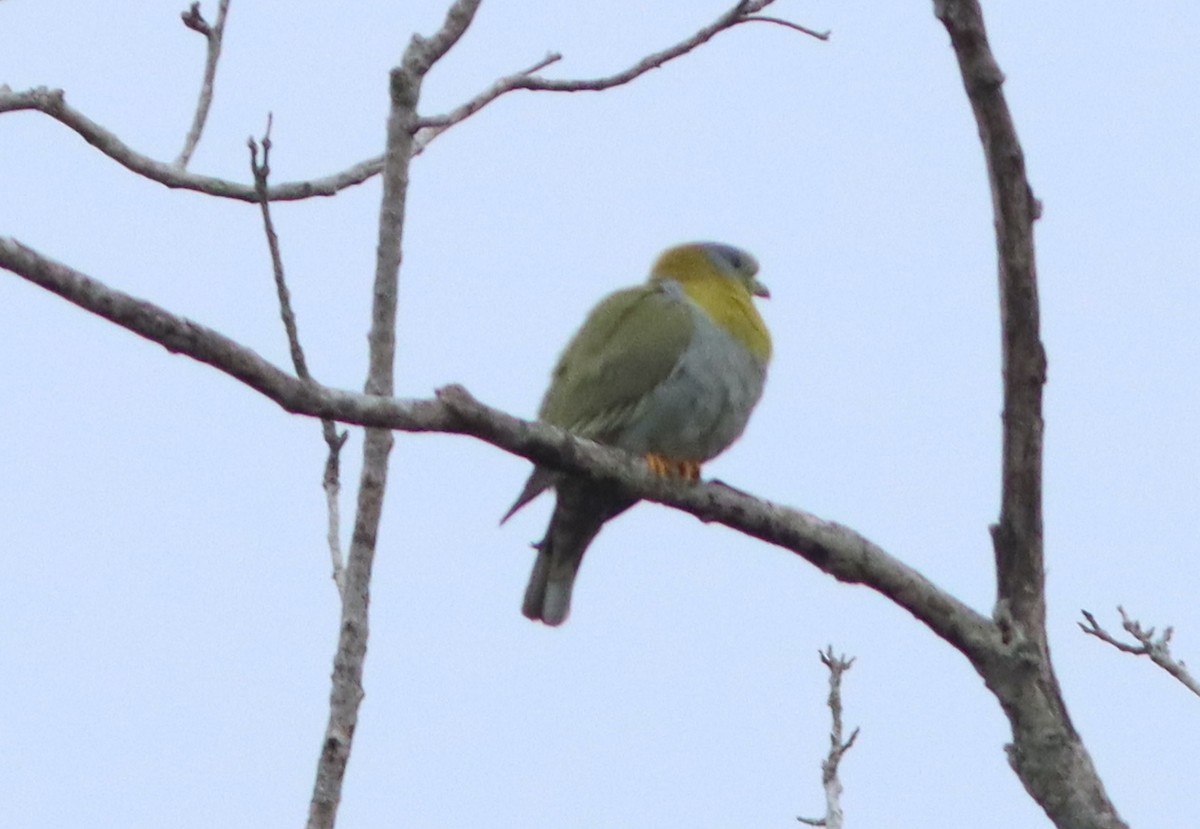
[837, 550]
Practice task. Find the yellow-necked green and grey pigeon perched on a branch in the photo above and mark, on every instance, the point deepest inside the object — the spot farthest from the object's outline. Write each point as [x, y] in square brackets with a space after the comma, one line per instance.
[669, 370]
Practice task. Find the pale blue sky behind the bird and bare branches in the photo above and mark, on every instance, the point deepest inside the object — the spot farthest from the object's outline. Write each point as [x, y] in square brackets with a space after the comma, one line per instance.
[167, 621]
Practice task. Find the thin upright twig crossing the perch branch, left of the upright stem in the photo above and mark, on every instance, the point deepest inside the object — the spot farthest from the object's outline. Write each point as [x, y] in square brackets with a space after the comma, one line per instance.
[332, 477]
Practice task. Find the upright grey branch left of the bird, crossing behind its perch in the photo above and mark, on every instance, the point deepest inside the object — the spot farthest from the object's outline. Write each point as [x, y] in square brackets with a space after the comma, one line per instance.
[346, 695]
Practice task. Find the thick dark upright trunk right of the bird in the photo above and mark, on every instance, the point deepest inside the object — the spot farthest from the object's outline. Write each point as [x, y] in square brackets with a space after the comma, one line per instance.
[1047, 753]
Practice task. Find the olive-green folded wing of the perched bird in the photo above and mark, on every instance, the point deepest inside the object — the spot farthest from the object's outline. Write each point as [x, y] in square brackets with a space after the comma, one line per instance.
[628, 346]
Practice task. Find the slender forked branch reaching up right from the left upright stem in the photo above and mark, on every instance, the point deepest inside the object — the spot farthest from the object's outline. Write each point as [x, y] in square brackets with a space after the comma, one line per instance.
[742, 13]
